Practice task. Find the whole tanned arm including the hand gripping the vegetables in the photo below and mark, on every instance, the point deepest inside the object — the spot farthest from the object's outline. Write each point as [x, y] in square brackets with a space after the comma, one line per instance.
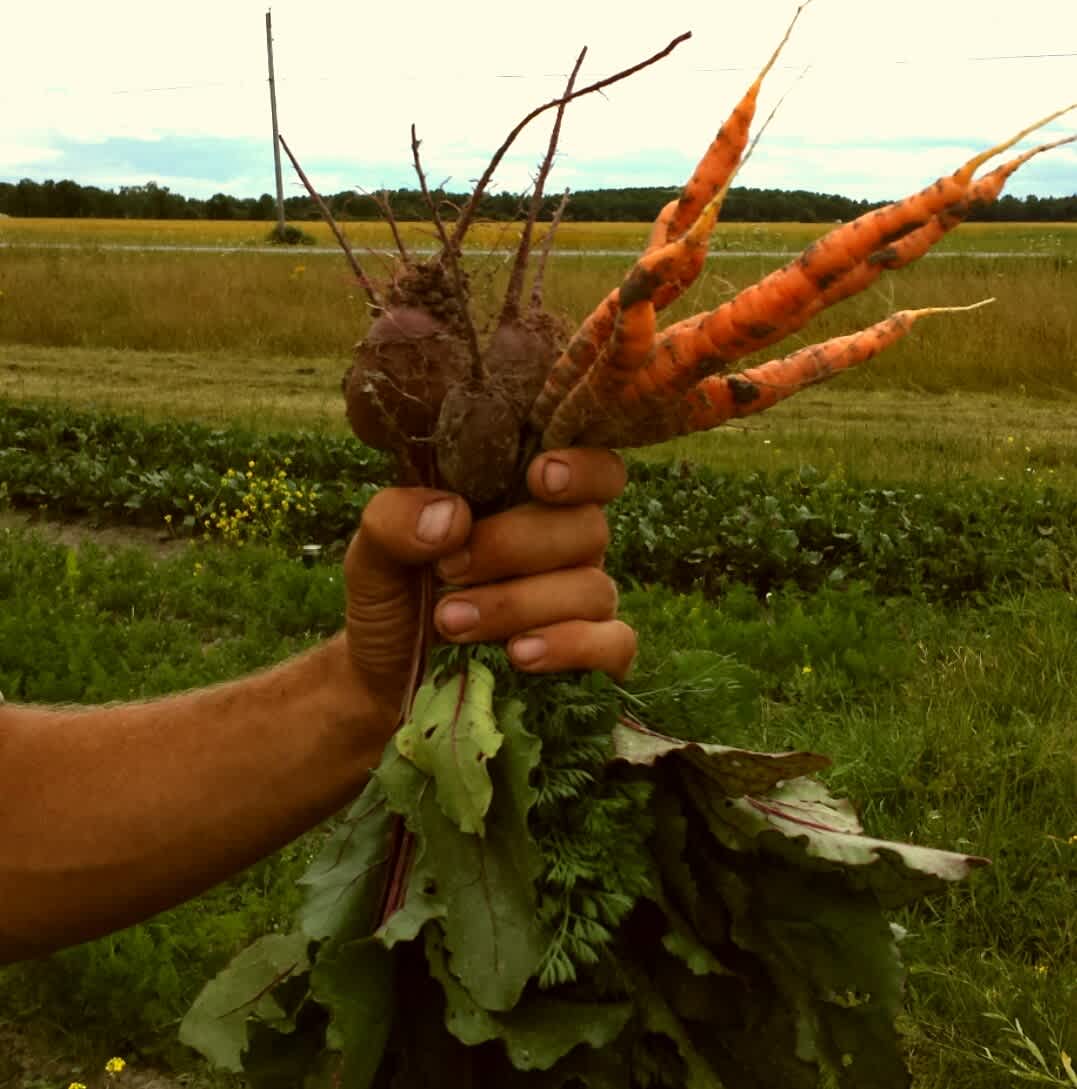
[109, 815]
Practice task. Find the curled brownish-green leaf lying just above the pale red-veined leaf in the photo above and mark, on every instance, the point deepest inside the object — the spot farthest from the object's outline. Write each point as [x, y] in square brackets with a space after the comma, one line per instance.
[736, 773]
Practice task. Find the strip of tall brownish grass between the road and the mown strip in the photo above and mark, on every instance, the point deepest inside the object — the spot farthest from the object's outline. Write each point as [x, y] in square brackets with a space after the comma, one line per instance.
[262, 305]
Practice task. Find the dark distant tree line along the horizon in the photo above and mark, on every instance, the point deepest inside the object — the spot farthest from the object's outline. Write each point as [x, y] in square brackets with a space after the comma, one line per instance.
[71, 201]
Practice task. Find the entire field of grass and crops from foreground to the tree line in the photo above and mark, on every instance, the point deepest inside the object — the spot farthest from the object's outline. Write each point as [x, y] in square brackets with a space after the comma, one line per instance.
[938, 675]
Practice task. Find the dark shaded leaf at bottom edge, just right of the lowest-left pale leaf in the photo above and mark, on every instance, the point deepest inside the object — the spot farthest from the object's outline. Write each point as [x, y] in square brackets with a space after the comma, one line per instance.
[356, 983]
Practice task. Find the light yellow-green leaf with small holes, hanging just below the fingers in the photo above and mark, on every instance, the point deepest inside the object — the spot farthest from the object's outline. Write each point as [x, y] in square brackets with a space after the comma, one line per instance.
[450, 736]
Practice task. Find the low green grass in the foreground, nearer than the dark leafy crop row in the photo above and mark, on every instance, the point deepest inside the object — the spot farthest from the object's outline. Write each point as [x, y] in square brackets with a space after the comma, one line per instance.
[952, 728]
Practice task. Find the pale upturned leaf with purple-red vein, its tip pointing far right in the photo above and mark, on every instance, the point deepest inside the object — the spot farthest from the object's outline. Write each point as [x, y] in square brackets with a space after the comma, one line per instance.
[801, 823]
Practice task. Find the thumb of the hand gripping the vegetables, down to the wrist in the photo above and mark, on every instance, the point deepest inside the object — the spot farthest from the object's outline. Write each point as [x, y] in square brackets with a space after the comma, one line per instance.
[402, 530]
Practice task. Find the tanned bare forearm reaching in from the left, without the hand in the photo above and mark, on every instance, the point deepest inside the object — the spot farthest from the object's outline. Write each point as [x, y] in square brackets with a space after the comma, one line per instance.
[109, 815]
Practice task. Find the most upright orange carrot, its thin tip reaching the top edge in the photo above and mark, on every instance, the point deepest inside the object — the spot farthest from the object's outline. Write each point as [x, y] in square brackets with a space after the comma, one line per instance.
[687, 224]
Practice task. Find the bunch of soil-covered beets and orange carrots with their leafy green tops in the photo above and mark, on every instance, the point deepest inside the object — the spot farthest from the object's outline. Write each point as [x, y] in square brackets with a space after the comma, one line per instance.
[537, 889]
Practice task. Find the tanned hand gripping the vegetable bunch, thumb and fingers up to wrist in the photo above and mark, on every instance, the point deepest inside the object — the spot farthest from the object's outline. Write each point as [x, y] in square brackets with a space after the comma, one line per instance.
[531, 577]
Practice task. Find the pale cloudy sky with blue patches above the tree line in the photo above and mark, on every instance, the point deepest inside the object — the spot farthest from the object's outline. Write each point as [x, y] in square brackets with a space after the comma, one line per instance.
[880, 96]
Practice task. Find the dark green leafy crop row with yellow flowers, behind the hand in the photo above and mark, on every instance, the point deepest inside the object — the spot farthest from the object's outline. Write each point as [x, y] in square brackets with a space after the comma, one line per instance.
[687, 528]
